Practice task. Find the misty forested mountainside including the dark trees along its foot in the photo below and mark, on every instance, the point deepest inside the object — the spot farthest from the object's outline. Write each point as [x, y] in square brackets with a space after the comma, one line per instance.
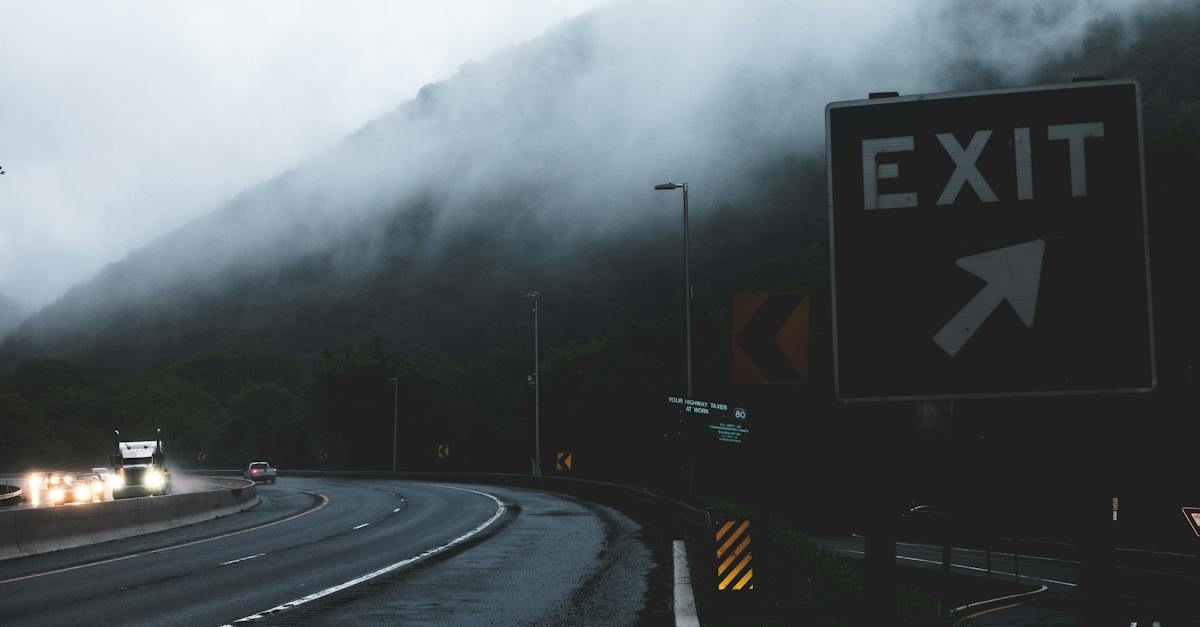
[271, 329]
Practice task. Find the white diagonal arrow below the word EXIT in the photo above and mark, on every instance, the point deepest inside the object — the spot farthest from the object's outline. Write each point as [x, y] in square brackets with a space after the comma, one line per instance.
[1013, 274]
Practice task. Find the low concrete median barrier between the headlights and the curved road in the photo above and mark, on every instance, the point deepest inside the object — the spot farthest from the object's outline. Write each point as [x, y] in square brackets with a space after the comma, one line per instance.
[51, 529]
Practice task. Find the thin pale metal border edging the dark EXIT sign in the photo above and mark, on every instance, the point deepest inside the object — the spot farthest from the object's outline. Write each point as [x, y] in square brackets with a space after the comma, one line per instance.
[956, 95]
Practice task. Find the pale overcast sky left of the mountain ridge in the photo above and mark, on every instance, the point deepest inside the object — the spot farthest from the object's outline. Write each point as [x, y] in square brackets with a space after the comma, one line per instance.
[121, 122]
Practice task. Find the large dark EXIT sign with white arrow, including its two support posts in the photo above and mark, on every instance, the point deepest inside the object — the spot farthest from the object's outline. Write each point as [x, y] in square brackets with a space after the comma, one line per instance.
[992, 244]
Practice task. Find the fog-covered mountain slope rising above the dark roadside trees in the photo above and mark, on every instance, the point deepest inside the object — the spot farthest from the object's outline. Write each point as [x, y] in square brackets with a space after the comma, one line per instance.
[535, 171]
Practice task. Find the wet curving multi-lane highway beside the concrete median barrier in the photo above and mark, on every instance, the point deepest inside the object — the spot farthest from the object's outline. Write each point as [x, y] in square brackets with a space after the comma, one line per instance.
[361, 552]
